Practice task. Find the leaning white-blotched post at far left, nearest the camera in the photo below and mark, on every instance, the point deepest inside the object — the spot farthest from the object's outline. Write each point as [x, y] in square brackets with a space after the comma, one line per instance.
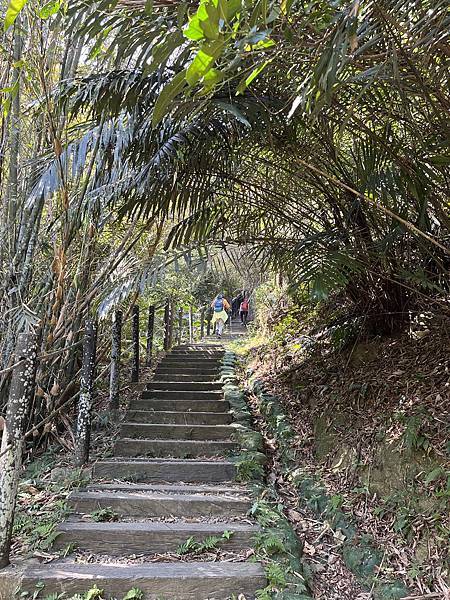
[13, 443]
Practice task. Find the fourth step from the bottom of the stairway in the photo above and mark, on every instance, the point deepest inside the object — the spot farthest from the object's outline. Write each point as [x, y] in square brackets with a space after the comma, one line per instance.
[166, 470]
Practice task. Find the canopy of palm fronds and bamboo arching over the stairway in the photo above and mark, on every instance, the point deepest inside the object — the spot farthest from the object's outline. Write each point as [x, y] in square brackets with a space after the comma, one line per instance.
[134, 135]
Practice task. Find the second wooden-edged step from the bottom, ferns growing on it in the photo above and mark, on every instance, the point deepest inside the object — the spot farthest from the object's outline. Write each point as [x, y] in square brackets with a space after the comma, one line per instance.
[148, 537]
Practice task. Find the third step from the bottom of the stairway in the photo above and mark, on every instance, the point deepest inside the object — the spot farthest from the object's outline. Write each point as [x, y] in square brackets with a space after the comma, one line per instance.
[158, 504]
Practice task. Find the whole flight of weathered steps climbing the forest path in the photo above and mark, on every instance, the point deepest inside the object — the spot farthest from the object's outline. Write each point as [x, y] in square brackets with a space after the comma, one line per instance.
[169, 481]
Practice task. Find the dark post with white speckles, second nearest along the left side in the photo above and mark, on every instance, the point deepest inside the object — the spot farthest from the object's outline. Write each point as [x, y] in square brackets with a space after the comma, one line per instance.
[83, 434]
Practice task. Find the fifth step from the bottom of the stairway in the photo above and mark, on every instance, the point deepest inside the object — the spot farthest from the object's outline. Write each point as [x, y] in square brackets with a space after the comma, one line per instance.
[172, 448]
